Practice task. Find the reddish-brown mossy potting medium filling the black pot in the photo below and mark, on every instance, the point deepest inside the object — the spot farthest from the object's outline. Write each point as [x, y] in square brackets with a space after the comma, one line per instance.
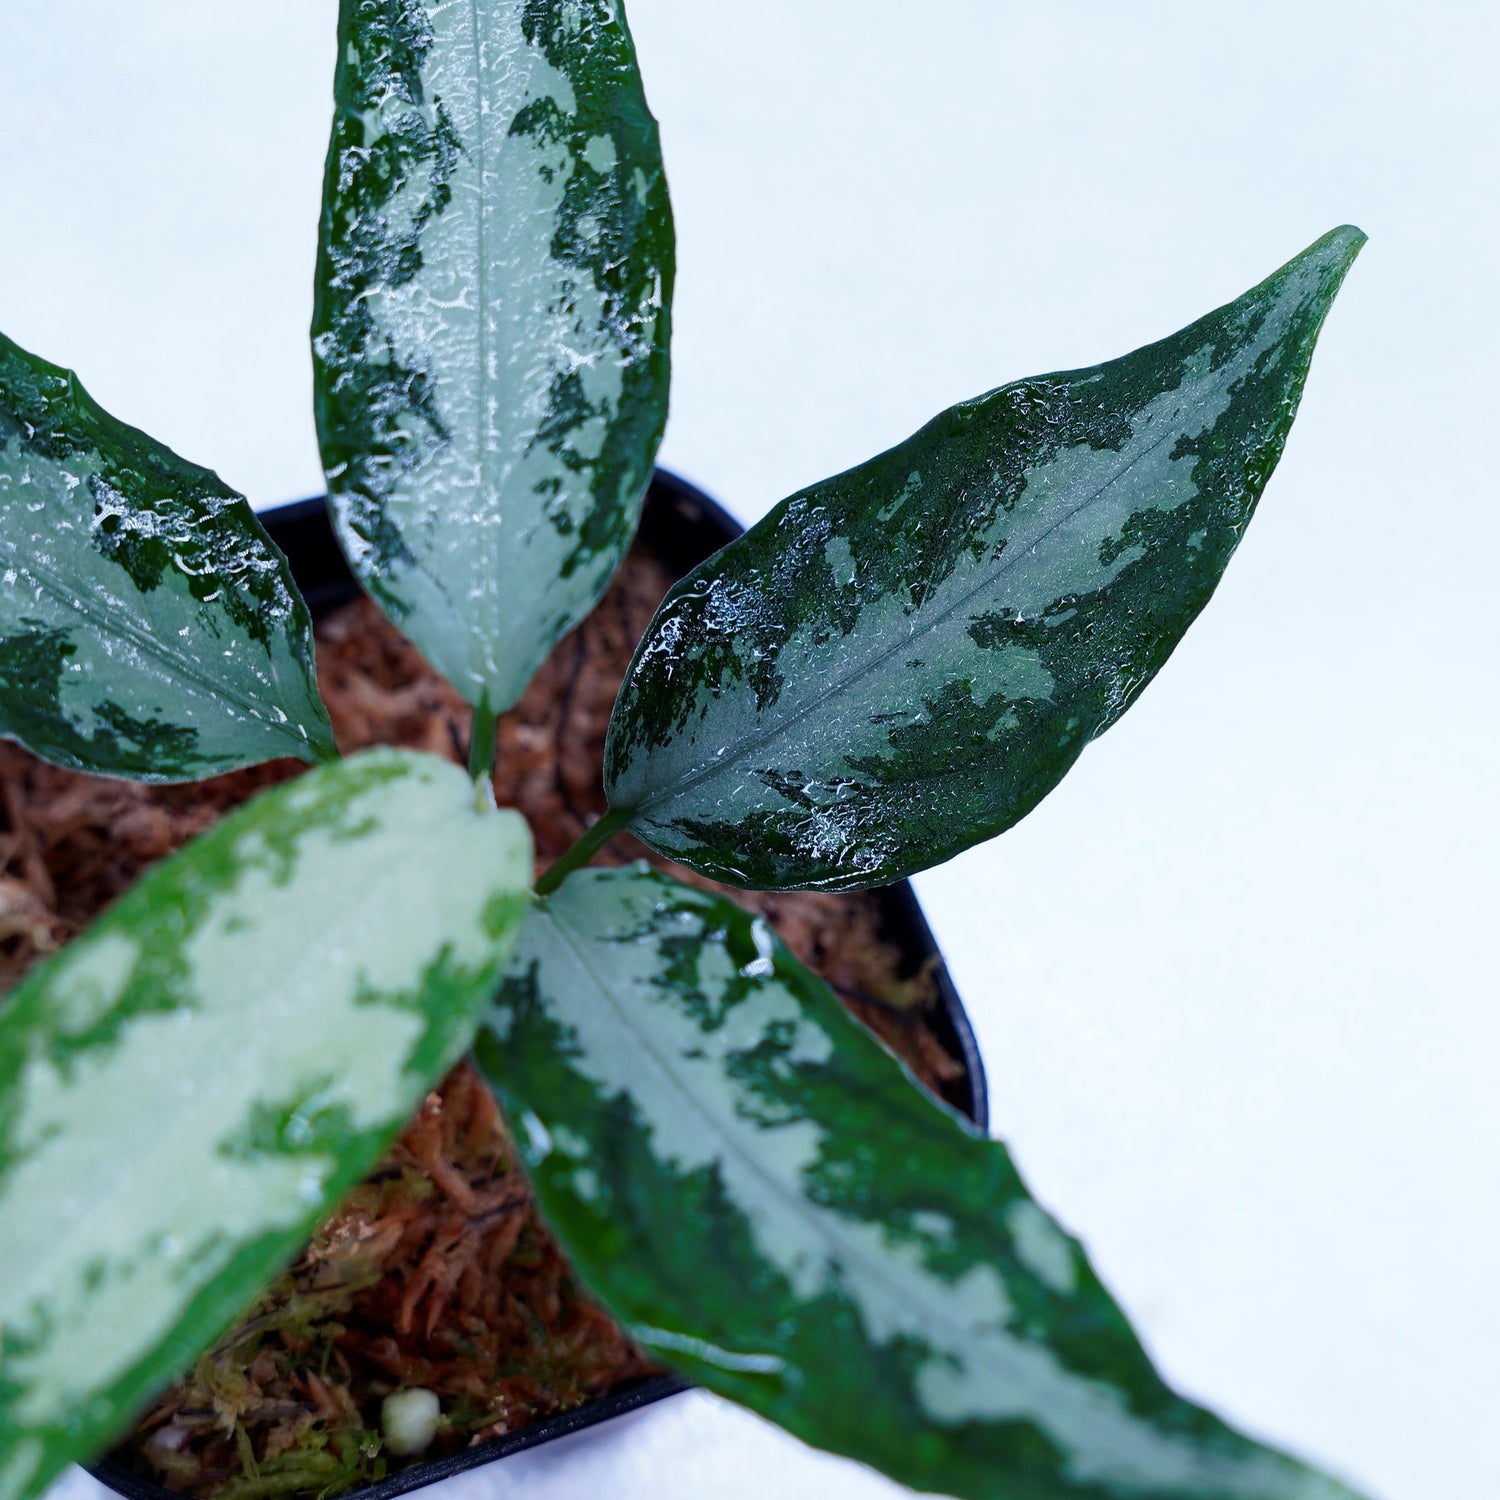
[436, 1273]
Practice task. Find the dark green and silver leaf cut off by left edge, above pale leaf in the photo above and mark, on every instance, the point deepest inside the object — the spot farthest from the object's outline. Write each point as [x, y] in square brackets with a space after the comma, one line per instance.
[149, 628]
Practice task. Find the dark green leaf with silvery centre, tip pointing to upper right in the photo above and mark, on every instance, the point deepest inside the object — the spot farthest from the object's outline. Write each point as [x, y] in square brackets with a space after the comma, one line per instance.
[904, 661]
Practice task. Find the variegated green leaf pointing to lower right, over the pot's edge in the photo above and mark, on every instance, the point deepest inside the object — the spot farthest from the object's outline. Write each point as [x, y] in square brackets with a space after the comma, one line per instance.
[770, 1204]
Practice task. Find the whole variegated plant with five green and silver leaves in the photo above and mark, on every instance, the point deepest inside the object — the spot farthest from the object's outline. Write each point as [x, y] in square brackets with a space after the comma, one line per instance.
[895, 665]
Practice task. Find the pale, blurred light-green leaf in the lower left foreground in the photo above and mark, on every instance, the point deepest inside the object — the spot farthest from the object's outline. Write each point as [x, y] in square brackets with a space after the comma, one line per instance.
[187, 1090]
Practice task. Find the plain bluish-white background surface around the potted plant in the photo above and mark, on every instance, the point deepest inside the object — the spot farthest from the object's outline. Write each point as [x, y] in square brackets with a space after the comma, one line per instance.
[1237, 980]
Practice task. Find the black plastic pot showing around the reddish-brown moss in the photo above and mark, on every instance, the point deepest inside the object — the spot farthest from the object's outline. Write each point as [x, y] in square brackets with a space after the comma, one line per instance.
[683, 527]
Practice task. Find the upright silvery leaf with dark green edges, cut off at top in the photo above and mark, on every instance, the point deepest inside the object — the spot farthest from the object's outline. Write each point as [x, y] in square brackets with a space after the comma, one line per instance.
[494, 308]
